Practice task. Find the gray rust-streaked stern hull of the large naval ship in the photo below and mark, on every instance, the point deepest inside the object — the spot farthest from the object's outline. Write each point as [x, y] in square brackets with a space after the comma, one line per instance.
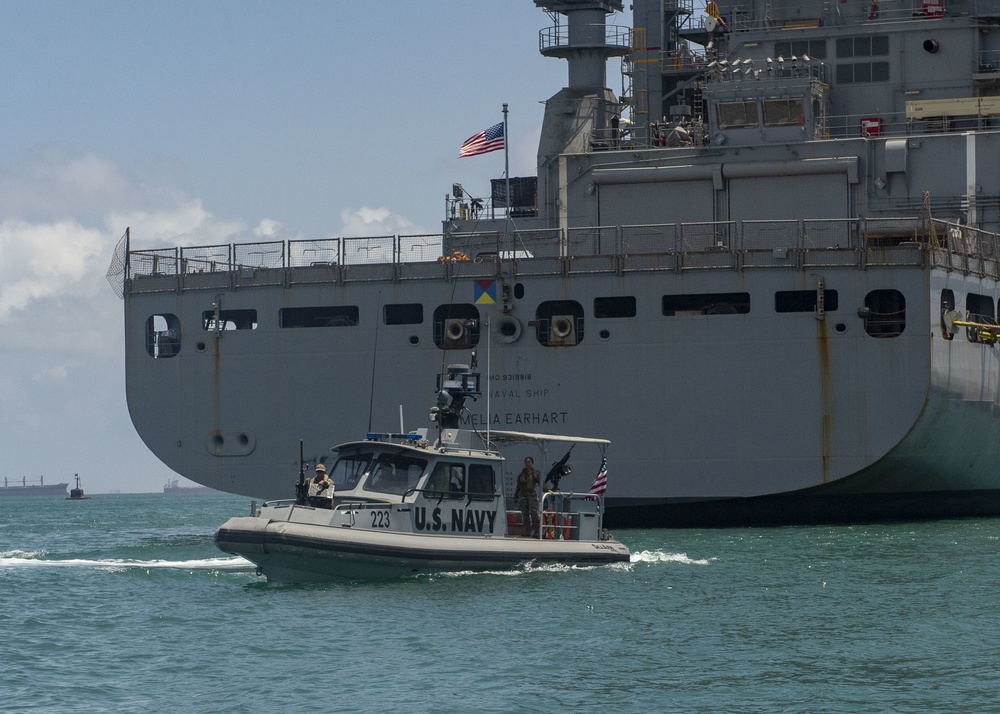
[714, 418]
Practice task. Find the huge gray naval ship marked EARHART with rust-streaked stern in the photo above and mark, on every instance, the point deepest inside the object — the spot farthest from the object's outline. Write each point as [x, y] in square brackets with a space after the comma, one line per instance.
[767, 271]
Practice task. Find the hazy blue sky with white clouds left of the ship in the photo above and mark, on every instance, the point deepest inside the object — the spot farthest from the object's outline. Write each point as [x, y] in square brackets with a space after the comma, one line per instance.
[217, 121]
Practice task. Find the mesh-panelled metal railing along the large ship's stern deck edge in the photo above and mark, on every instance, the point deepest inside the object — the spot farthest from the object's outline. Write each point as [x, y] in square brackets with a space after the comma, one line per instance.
[801, 244]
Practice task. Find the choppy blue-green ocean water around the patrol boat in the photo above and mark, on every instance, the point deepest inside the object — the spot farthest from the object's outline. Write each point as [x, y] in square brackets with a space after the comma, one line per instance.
[123, 604]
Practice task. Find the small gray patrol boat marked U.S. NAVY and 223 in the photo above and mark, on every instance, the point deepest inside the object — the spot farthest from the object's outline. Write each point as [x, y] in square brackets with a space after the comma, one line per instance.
[406, 505]
